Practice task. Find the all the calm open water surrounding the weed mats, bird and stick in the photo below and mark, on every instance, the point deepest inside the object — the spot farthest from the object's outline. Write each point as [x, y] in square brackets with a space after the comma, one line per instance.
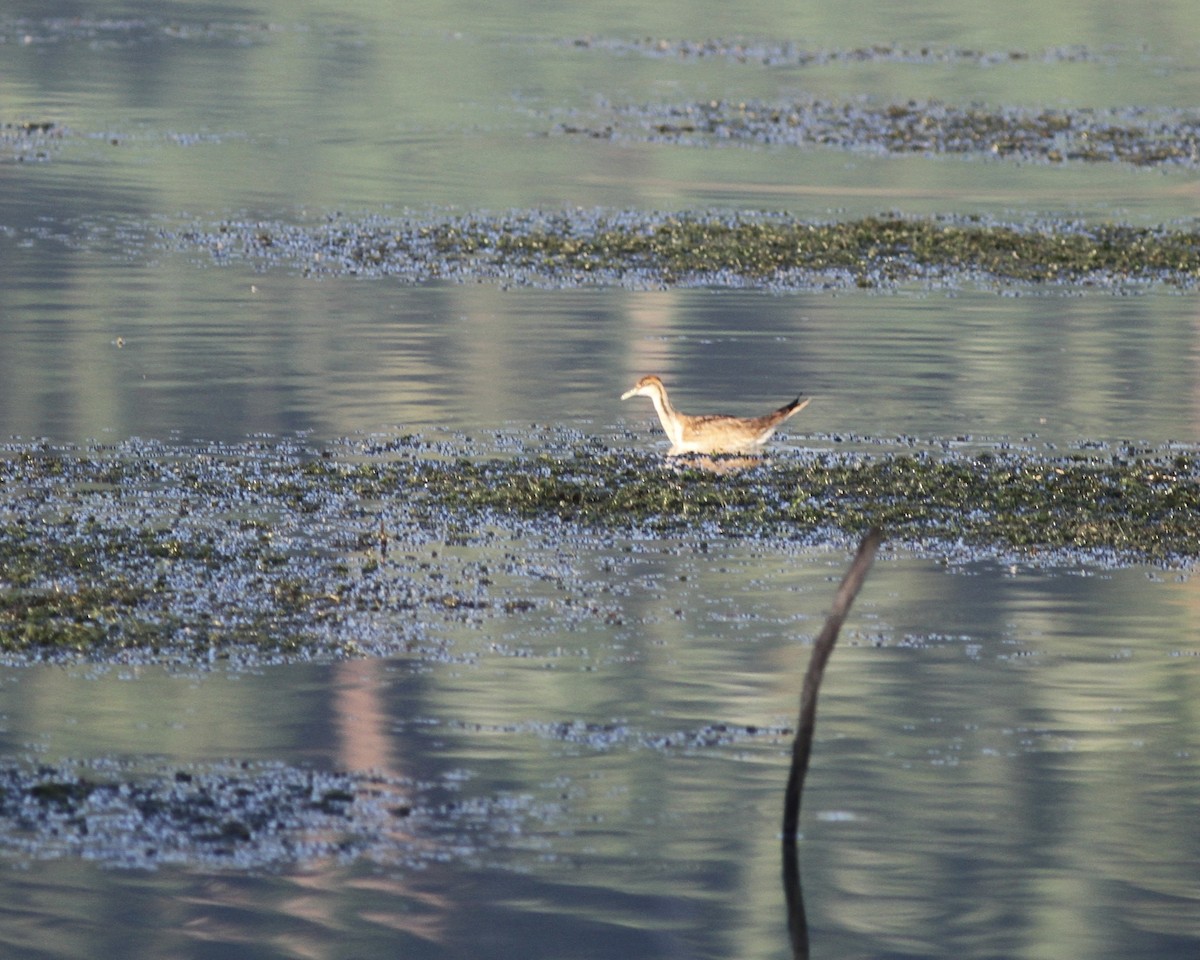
[1006, 754]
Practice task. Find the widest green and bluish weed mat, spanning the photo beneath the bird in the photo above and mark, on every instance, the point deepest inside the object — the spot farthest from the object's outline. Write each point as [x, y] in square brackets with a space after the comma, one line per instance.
[145, 553]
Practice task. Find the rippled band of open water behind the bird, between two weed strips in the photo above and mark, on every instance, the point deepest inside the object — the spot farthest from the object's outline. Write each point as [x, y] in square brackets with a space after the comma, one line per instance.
[233, 355]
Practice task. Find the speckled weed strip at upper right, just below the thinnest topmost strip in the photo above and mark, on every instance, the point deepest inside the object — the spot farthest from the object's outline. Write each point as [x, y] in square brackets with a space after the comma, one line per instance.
[1142, 137]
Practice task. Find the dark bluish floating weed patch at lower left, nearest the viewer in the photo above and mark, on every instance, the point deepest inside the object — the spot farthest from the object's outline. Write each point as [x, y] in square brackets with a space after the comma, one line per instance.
[249, 817]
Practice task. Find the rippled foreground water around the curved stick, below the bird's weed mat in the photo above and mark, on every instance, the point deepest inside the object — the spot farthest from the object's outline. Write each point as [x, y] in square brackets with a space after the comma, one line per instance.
[997, 749]
